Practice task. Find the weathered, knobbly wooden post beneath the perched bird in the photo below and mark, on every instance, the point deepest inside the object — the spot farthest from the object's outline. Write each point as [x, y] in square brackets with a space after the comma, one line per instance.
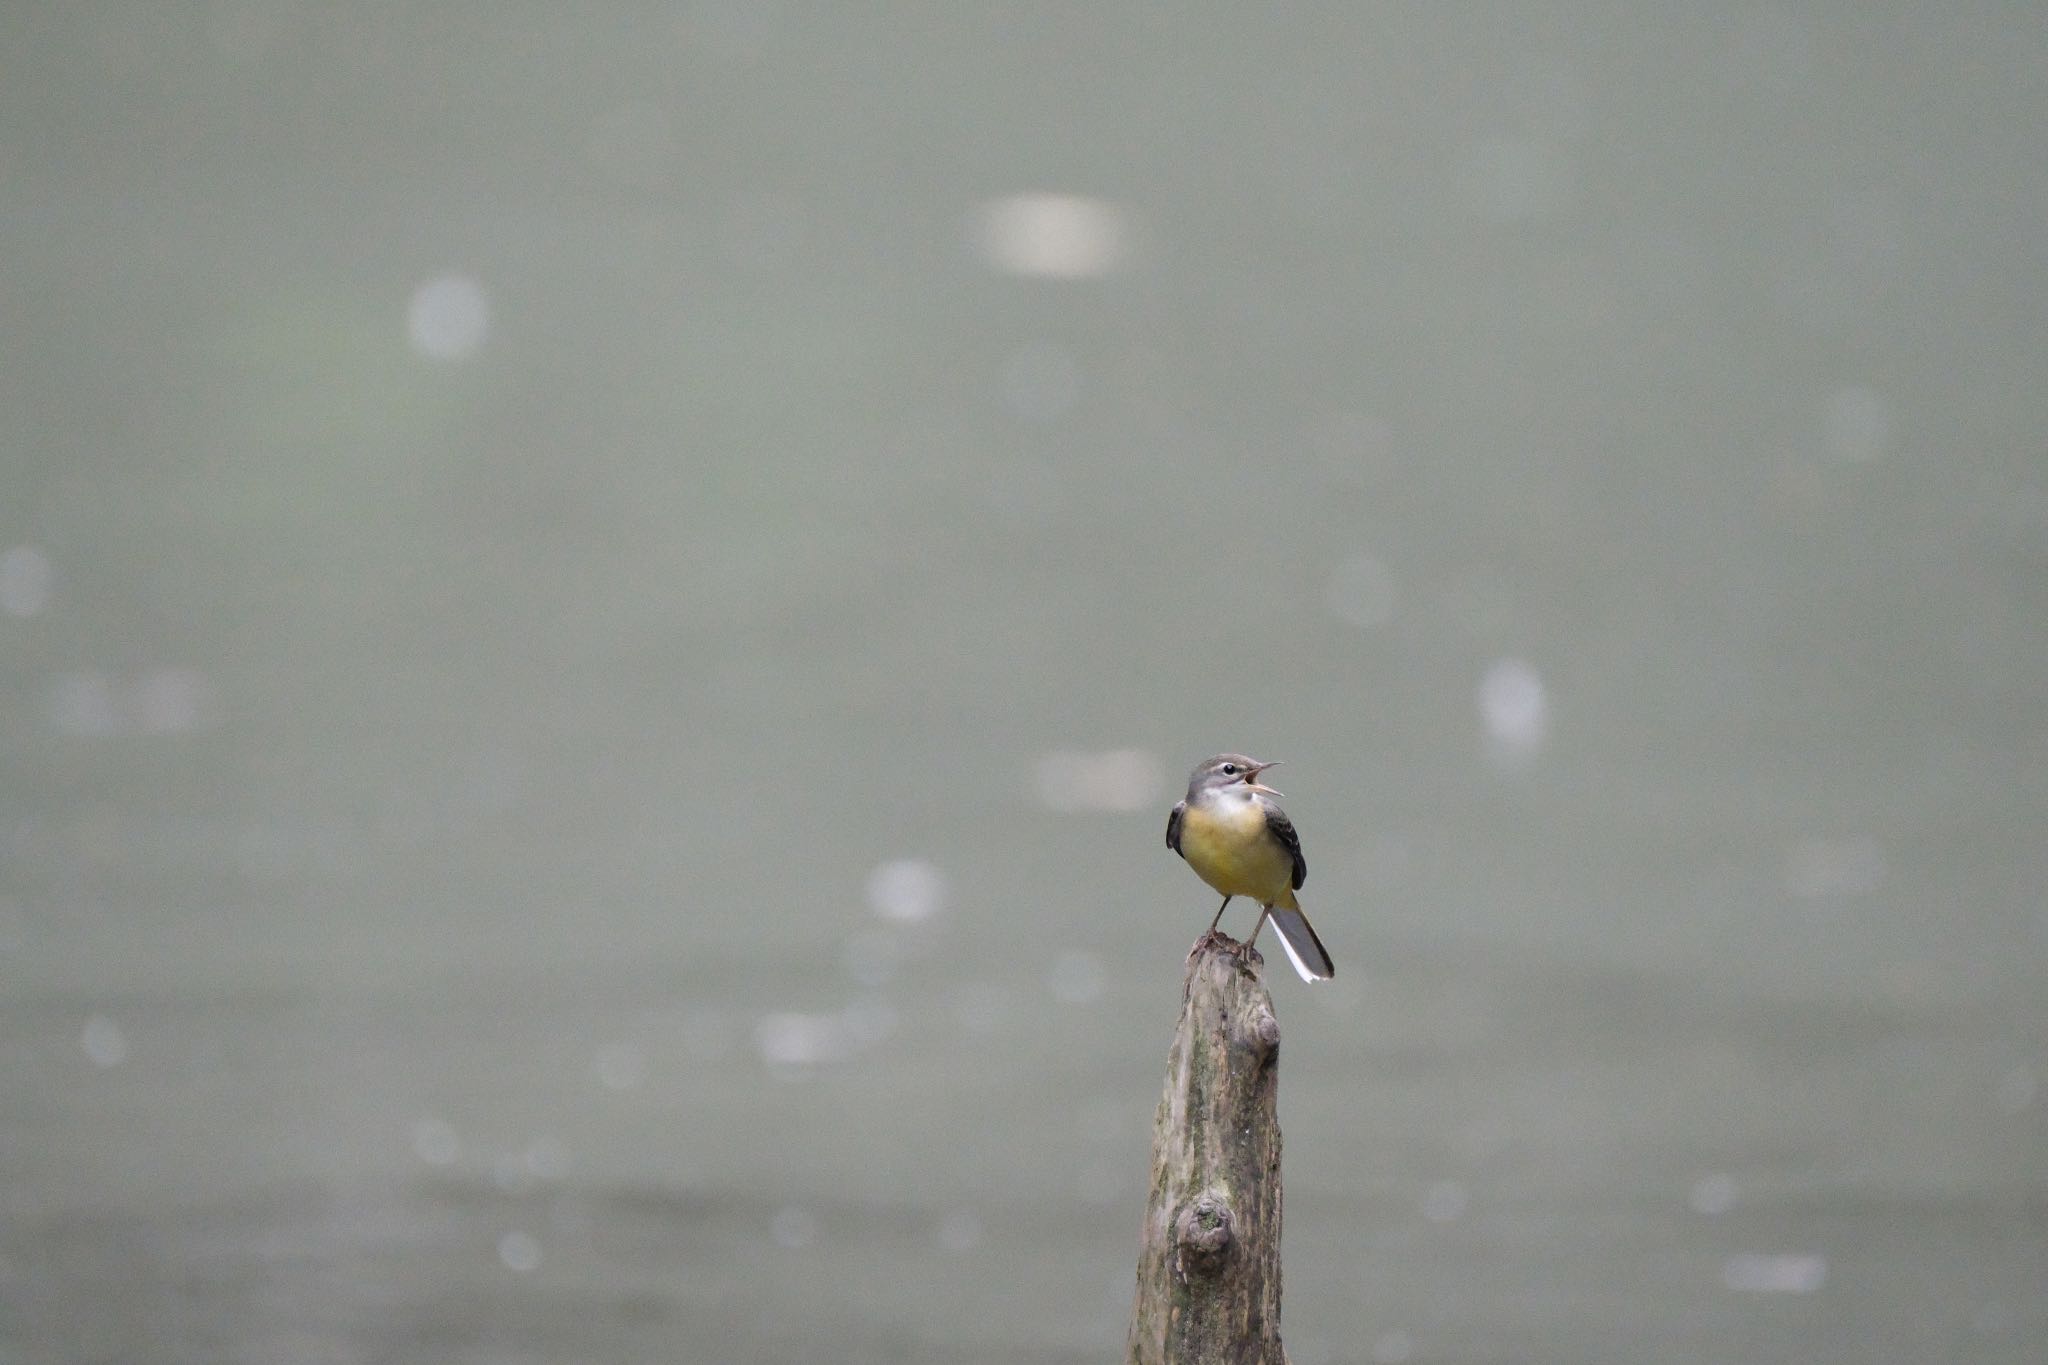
[1209, 1274]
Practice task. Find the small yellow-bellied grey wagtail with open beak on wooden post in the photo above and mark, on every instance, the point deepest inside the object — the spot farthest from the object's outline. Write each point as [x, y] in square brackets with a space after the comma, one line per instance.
[1244, 846]
